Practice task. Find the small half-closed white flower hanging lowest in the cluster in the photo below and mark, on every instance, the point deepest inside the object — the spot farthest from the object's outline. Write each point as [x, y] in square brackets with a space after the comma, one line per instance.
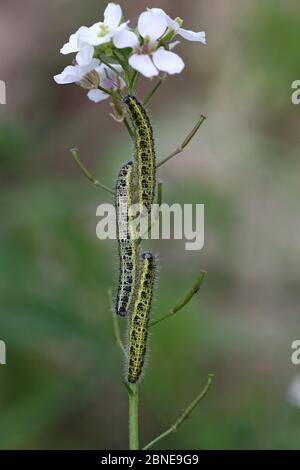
[109, 80]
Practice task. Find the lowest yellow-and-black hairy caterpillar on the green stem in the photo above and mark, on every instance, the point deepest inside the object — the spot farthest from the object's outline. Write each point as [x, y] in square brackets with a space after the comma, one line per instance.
[139, 320]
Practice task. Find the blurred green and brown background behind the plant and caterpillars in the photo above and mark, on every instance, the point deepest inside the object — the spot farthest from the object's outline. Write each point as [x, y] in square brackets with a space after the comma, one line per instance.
[61, 387]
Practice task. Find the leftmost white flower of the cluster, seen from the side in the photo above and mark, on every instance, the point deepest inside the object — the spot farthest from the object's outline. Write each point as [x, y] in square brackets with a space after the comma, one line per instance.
[84, 65]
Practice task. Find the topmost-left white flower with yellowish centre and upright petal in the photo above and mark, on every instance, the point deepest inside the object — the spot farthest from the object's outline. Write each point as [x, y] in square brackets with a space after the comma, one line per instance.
[103, 32]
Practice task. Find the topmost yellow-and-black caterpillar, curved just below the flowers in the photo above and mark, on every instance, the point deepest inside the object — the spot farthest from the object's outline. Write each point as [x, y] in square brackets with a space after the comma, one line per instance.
[144, 152]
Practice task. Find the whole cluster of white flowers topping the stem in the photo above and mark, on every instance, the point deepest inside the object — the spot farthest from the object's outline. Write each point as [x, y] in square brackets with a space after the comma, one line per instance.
[110, 54]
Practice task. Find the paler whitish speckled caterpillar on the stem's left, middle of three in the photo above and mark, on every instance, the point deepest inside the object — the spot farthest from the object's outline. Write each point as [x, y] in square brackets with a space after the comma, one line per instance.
[128, 246]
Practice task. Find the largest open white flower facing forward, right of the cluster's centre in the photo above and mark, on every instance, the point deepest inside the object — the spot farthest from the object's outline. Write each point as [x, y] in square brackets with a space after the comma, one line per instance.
[149, 59]
